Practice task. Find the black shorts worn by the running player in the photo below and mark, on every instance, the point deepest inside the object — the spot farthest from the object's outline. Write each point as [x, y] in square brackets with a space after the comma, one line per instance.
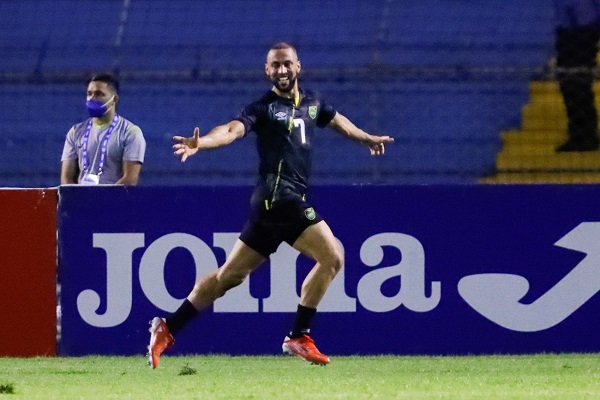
[283, 222]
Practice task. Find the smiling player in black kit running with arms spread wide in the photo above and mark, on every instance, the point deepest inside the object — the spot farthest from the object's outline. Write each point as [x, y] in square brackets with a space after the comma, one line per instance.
[284, 120]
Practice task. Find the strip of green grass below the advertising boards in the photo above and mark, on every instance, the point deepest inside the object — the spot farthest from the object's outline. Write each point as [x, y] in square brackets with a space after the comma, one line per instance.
[547, 376]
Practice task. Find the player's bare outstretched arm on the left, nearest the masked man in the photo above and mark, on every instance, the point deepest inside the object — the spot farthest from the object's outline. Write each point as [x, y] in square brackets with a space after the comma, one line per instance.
[219, 136]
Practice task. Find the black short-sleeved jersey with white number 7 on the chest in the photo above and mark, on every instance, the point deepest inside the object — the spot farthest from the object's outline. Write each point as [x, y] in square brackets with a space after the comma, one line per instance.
[284, 134]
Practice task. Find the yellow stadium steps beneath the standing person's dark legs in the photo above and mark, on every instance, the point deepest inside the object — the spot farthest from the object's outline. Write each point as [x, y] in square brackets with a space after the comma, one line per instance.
[528, 154]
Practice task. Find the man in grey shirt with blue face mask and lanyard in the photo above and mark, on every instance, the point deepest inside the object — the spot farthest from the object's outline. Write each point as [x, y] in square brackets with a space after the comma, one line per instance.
[106, 148]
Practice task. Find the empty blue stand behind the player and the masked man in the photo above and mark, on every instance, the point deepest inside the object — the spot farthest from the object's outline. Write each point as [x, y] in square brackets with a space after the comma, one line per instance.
[443, 78]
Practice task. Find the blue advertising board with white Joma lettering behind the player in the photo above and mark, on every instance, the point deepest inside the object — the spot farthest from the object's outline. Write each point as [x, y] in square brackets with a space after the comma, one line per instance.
[465, 269]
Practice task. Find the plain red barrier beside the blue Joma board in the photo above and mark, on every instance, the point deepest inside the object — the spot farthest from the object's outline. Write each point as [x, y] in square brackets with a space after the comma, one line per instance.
[28, 272]
